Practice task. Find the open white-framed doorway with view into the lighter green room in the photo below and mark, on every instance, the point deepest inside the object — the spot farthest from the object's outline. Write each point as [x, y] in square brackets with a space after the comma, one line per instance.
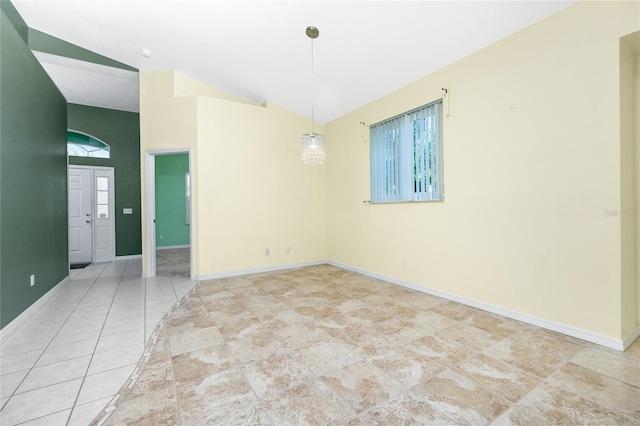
[168, 213]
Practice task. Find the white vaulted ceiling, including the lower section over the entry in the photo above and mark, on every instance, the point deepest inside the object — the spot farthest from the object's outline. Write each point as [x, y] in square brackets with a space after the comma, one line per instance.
[258, 50]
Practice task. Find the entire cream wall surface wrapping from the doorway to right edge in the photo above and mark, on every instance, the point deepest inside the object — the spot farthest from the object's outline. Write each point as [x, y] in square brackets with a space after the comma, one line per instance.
[533, 160]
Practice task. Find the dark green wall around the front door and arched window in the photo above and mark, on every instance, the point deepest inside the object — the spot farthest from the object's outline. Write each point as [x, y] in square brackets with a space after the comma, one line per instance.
[121, 131]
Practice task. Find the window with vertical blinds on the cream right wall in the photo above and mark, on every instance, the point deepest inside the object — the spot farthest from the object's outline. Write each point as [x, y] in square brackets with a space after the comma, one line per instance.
[406, 156]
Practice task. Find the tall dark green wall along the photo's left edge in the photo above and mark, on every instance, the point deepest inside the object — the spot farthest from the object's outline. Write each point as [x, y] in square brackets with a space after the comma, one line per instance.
[33, 176]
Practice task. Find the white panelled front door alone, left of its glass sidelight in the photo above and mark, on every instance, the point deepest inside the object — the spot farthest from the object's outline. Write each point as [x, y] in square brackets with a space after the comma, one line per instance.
[80, 228]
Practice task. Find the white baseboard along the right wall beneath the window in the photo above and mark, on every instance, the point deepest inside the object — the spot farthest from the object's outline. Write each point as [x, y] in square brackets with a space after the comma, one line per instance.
[606, 341]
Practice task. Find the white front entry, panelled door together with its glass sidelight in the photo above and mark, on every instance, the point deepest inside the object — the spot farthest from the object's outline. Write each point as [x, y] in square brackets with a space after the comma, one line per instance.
[91, 211]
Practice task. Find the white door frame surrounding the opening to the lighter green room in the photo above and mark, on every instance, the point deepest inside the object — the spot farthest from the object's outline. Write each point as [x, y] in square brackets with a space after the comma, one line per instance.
[150, 208]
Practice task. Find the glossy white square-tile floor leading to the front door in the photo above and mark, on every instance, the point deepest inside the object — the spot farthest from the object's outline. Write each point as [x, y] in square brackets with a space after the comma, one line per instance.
[66, 362]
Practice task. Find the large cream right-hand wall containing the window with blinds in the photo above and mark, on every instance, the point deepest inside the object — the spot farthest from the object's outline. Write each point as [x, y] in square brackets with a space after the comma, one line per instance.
[532, 161]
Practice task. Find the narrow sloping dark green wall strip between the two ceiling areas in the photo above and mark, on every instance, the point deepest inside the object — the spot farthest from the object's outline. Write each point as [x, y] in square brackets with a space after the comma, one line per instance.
[45, 43]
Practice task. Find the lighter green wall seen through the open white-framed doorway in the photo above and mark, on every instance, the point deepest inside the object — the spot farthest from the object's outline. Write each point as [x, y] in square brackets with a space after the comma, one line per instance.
[171, 200]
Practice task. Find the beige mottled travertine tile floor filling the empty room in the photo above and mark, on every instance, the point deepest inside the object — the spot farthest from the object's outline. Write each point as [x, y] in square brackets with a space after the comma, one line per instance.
[321, 345]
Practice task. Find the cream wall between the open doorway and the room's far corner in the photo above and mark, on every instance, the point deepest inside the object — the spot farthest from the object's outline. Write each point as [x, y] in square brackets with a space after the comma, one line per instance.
[255, 192]
